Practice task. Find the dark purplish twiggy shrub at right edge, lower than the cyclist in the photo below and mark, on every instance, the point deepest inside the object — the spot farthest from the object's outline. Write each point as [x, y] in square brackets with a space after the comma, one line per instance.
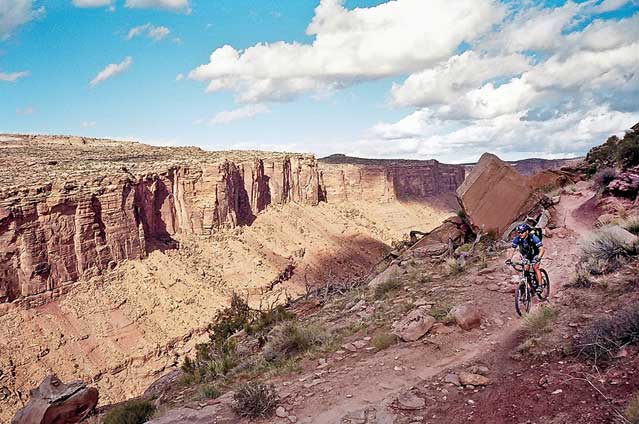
[604, 336]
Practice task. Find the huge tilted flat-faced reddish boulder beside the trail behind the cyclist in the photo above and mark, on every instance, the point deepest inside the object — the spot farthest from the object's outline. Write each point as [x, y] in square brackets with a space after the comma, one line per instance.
[493, 195]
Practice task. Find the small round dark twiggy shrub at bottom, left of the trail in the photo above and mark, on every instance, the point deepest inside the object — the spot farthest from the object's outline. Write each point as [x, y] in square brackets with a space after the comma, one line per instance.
[255, 400]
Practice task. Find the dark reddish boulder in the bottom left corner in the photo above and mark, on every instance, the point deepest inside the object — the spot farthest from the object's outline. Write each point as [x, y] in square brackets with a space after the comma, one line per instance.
[54, 402]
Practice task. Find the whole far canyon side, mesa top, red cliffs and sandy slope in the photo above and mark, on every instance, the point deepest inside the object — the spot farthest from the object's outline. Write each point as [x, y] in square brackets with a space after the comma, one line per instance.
[114, 256]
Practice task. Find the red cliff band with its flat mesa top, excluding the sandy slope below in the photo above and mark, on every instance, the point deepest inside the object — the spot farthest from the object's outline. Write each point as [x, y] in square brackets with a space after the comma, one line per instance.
[63, 223]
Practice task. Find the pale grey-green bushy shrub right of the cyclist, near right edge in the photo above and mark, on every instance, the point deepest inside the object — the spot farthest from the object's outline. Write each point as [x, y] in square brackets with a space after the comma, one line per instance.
[604, 249]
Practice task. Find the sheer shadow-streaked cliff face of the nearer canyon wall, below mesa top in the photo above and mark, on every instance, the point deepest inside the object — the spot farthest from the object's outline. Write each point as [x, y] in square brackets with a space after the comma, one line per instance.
[59, 237]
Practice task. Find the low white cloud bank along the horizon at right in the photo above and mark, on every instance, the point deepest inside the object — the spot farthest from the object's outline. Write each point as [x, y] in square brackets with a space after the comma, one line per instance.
[423, 135]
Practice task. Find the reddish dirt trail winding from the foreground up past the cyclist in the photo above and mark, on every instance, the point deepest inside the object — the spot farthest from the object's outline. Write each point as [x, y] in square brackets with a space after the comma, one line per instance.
[359, 387]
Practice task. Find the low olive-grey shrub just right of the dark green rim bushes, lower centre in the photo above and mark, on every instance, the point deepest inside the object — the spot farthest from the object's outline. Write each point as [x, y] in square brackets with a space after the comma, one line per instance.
[290, 337]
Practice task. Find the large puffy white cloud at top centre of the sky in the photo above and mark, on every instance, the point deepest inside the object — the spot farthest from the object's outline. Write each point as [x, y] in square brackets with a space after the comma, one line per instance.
[392, 38]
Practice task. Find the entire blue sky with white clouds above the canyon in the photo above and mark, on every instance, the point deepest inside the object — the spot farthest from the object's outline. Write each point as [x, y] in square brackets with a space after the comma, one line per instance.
[360, 77]
